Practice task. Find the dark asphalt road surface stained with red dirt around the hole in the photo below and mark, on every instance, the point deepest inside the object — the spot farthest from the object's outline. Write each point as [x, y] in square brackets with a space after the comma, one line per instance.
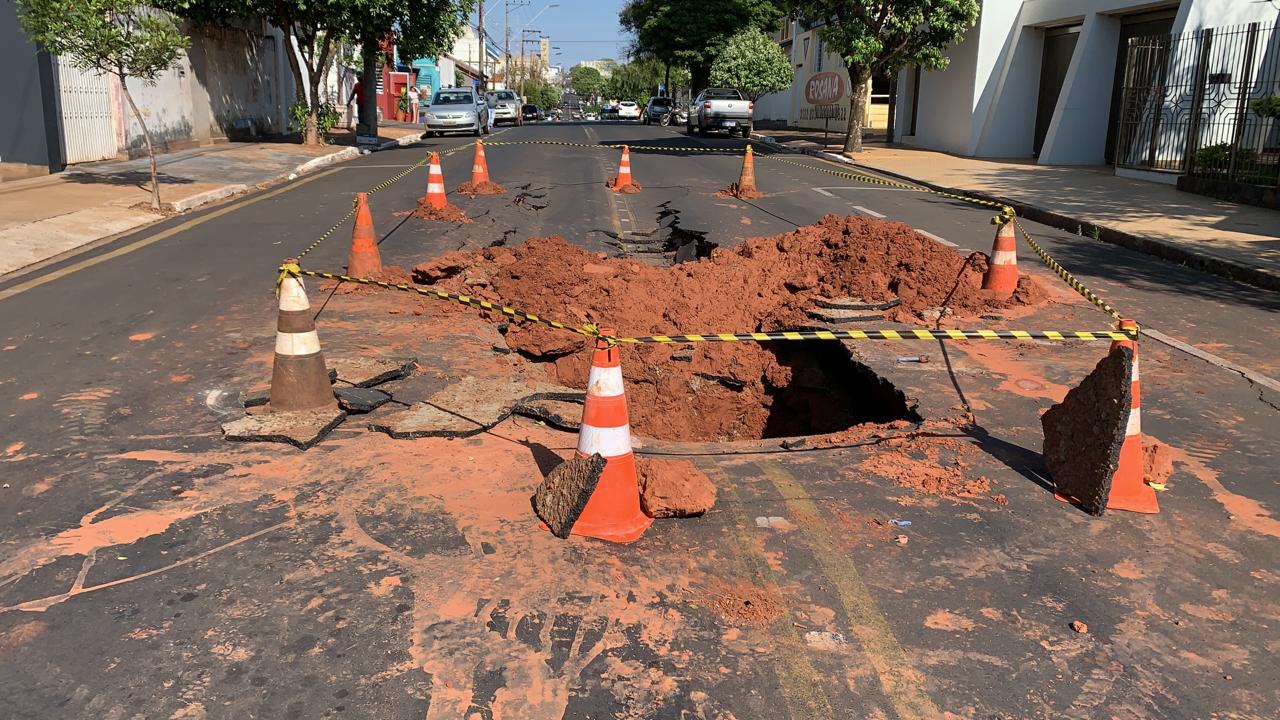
[150, 571]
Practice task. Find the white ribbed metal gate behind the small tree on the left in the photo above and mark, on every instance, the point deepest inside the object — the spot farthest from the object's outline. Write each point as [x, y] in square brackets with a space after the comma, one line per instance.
[89, 126]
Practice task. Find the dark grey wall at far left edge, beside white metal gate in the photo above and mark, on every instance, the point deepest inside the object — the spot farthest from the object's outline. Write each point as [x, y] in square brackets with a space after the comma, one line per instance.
[26, 86]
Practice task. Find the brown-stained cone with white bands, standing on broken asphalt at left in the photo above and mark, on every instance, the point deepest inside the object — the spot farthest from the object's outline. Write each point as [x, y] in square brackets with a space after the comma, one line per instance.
[300, 380]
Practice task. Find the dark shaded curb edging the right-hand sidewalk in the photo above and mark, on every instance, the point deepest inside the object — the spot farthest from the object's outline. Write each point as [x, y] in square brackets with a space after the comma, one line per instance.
[1165, 250]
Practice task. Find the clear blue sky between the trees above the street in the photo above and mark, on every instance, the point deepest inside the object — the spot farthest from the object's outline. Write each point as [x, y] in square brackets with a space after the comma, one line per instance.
[583, 30]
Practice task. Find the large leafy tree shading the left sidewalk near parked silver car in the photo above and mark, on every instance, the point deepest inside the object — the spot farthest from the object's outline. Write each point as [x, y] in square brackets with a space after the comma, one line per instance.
[316, 29]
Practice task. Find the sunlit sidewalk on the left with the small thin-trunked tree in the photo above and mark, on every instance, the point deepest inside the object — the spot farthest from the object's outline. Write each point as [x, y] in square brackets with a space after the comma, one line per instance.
[42, 218]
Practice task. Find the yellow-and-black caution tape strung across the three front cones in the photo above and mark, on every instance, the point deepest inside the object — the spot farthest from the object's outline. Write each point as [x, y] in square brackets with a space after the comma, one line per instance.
[593, 331]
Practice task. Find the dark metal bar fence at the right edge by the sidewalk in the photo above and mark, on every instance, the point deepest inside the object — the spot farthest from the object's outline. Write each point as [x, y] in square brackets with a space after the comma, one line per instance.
[1206, 104]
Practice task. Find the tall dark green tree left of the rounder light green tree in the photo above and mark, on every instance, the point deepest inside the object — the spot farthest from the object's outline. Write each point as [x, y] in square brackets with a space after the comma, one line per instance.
[692, 35]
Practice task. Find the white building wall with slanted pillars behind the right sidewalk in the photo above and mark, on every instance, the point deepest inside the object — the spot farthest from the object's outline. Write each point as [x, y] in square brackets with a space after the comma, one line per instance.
[985, 104]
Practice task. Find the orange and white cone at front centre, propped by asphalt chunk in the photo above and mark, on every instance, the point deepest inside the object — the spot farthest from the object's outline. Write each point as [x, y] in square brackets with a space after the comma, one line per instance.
[614, 513]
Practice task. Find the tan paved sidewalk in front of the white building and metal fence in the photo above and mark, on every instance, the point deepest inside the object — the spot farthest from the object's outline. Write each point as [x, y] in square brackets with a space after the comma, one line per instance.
[1237, 241]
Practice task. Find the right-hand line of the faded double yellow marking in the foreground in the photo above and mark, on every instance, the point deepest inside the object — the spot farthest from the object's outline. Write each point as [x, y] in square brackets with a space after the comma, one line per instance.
[902, 683]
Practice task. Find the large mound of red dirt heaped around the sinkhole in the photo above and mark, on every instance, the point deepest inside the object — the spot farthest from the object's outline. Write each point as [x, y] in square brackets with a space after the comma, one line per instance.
[715, 391]
